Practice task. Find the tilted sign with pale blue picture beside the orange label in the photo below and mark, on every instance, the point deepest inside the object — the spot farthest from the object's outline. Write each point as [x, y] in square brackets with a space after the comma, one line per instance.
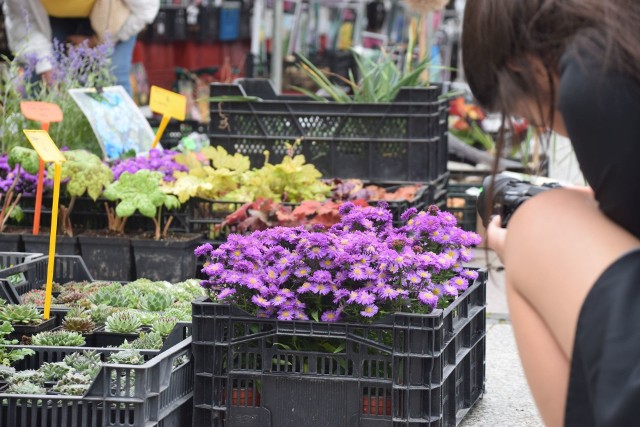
[116, 120]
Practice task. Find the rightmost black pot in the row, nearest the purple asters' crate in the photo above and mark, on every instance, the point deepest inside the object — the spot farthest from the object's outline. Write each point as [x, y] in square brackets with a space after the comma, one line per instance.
[170, 260]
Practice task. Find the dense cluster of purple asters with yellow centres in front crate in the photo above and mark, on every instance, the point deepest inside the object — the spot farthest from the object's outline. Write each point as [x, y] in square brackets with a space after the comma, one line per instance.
[359, 268]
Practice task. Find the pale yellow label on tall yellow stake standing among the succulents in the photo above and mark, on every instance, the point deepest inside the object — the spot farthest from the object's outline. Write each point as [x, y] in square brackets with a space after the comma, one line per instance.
[49, 152]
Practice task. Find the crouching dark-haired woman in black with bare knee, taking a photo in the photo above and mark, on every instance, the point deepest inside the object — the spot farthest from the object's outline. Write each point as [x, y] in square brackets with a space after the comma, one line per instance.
[571, 255]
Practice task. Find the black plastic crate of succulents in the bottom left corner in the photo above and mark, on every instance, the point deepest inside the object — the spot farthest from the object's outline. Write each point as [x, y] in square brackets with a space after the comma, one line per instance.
[156, 393]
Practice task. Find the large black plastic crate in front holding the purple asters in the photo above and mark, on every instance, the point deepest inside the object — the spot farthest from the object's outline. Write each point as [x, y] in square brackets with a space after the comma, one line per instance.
[405, 370]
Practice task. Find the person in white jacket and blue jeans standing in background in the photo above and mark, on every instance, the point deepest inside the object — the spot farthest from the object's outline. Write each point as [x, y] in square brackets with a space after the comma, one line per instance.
[32, 25]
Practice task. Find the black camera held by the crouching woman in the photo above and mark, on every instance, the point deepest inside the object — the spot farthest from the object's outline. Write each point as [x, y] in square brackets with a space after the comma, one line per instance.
[507, 194]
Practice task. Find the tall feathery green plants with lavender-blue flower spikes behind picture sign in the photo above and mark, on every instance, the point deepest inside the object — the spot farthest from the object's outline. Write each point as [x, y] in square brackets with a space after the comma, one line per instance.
[76, 67]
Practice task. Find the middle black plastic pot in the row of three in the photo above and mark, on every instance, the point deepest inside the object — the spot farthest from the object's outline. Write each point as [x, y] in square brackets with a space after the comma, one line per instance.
[107, 258]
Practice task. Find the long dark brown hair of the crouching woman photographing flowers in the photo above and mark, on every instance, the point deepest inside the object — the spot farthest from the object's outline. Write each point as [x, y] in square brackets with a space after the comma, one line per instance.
[500, 38]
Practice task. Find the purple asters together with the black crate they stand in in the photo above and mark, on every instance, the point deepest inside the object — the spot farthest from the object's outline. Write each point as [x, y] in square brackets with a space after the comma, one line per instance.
[314, 308]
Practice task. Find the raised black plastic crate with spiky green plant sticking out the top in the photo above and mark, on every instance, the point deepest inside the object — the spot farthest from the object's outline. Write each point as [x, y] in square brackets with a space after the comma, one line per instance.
[404, 140]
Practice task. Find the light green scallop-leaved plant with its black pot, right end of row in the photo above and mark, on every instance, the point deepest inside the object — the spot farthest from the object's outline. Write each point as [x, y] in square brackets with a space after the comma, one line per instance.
[160, 255]
